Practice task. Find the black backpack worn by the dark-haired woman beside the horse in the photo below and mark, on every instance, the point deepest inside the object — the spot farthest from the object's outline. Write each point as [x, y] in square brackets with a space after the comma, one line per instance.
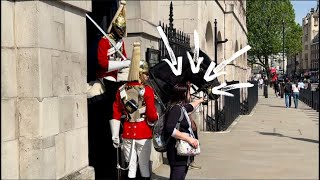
[158, 139]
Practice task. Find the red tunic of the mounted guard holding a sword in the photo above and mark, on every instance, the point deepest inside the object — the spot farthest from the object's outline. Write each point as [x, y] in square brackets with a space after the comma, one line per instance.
[103, 58]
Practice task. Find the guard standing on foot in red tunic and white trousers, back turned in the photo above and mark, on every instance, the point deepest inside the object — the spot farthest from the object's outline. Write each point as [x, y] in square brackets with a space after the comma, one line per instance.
[136, 100]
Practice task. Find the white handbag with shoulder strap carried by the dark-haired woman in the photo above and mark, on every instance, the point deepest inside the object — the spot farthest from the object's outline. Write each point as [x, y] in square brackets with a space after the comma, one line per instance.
[183, 147]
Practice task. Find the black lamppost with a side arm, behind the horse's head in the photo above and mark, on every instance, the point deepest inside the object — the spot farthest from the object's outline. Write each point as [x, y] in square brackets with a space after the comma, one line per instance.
[216, 42]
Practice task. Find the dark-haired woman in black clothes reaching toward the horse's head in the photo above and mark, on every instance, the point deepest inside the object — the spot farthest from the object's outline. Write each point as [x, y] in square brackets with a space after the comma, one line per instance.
[179, 164]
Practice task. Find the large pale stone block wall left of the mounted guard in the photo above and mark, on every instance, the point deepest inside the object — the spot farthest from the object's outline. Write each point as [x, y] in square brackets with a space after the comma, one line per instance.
[44, 106]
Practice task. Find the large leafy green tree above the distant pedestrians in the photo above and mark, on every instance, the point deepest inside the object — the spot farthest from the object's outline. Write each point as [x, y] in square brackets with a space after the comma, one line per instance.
[265, 22]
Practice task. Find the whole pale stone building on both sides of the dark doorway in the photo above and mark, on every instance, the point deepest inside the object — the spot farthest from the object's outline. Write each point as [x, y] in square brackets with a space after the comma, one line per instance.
[44, 118]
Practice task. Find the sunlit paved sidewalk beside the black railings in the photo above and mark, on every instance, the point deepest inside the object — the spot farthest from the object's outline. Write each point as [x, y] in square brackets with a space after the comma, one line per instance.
[273, 142]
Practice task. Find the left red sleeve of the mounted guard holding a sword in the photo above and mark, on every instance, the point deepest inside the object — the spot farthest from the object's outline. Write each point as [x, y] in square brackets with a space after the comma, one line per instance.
[103, 48]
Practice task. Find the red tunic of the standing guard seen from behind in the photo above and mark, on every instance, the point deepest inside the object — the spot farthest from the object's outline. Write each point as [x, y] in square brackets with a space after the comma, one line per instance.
[137, 130]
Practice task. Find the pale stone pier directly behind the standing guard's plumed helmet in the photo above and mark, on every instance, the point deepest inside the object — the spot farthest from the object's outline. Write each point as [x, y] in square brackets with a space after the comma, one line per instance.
[142, 20]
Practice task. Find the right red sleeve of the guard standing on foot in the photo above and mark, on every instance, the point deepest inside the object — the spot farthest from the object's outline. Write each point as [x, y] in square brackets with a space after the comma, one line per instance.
[151, 110]
